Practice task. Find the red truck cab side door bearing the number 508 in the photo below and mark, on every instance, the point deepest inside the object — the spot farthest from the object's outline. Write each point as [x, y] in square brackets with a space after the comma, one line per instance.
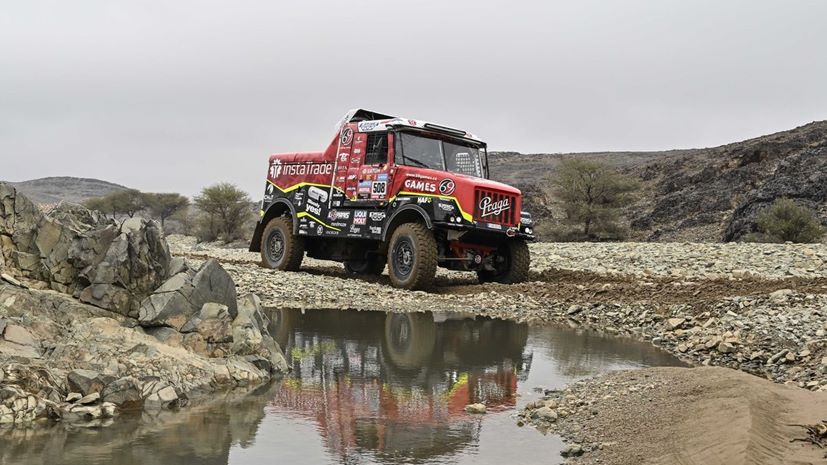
[369, 169]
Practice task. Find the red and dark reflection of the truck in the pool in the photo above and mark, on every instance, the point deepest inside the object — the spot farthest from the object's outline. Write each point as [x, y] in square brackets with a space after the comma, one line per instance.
[396, 385]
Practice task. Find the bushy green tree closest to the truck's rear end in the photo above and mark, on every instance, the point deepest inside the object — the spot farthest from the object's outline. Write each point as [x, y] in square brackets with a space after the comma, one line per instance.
[226, 208]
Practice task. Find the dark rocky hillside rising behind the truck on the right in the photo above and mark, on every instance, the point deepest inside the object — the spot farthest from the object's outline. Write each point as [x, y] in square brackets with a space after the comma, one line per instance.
[708, 194]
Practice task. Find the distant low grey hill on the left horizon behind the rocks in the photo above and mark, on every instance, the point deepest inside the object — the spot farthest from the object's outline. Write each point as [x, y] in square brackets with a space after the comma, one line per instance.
[65, 188]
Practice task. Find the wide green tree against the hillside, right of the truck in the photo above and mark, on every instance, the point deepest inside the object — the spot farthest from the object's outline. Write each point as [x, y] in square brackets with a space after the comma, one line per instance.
[592, 194]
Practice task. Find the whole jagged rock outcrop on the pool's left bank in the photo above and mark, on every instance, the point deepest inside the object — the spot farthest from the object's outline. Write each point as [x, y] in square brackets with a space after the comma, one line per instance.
[97, 317]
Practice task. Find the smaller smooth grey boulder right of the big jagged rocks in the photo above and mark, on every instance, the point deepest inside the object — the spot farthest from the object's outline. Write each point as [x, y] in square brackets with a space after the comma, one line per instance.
[183, 296]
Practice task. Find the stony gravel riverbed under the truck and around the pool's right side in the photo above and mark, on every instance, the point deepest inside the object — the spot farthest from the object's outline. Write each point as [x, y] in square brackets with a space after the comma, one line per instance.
[758, 308]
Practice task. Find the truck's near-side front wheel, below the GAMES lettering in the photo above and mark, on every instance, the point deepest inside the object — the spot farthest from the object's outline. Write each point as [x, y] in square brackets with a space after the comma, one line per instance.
[412, 257]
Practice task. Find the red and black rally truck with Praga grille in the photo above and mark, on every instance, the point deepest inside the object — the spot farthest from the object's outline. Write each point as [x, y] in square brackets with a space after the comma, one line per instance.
[402, 192]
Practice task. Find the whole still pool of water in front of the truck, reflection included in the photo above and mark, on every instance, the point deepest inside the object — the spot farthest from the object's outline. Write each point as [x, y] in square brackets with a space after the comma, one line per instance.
[365, 388]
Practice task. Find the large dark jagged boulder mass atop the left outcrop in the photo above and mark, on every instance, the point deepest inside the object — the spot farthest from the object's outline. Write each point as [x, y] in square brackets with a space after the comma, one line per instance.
[83, 253]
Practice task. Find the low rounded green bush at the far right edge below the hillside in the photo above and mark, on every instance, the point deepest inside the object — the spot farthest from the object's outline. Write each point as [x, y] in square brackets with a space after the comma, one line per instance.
[785, 221]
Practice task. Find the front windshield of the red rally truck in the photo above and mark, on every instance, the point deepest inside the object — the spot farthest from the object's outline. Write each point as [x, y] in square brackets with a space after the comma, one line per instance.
[437, 154]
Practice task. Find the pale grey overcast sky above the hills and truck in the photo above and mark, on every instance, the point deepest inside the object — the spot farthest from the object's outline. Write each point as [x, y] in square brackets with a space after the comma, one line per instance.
[174, 95]
